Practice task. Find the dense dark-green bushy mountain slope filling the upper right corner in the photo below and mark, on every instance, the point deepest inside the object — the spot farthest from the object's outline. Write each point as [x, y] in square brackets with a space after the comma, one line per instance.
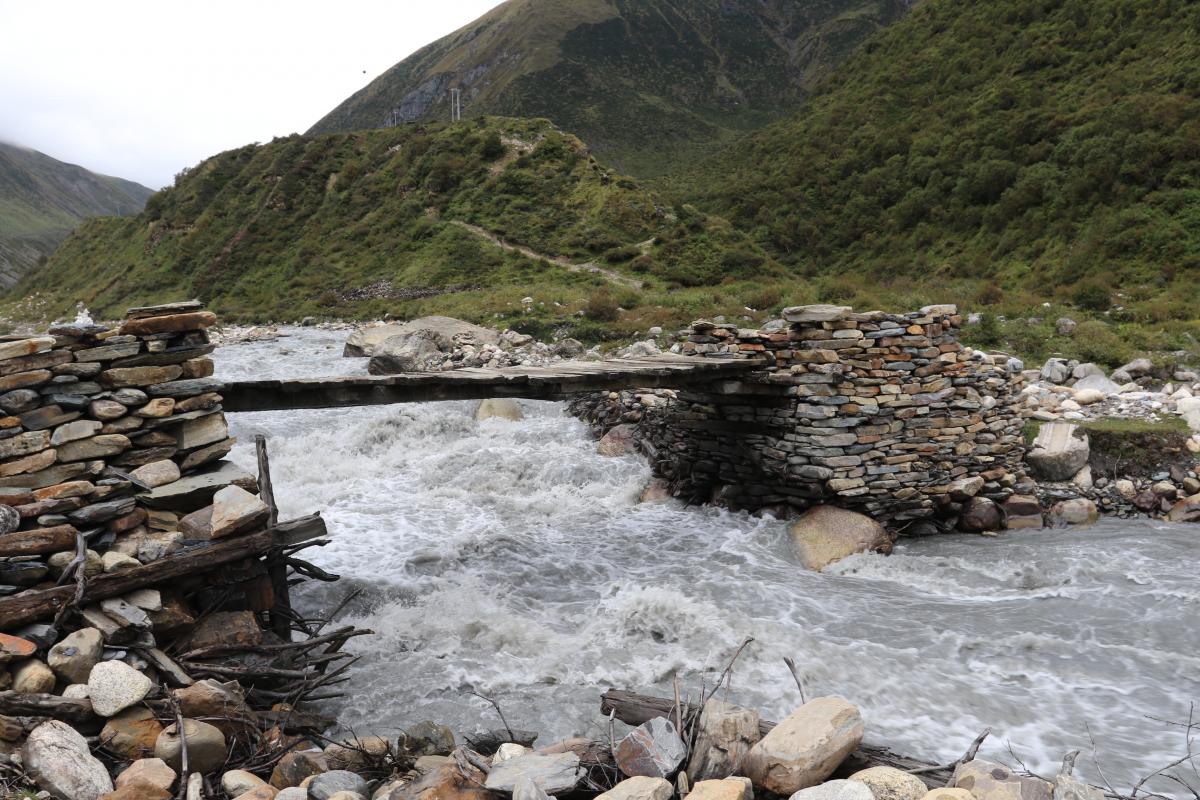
[1047, 151]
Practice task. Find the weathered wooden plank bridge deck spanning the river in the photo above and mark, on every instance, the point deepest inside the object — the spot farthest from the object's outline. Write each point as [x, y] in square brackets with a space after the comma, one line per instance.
[532, 383]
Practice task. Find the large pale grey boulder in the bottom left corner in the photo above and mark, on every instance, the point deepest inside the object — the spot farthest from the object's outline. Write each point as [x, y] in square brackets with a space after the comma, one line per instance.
[59, 761]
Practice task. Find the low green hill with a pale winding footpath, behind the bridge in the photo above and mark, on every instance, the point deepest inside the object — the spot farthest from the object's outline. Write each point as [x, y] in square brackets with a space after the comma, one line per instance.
[405, 221]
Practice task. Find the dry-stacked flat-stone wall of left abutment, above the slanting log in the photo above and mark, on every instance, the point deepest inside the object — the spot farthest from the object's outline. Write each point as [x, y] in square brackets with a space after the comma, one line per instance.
[101, 426]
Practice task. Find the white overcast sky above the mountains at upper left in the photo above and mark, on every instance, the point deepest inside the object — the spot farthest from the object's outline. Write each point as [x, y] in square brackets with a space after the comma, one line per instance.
[142, 89]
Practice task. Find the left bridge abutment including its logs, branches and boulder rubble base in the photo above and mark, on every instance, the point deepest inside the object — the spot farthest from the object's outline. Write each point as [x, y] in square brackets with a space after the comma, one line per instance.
[143, 582]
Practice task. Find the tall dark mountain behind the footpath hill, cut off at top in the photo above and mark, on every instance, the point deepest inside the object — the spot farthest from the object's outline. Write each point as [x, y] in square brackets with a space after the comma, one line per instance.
[647, 83]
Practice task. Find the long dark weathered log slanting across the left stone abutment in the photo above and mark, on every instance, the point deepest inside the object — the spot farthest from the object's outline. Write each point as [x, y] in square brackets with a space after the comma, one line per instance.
[32, 606]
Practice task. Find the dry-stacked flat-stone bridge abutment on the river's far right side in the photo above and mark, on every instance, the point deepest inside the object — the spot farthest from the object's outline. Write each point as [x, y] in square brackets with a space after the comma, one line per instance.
[883, 413]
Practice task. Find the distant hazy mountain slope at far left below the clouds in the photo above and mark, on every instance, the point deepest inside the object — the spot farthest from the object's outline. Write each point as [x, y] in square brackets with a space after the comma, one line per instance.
[43, 200]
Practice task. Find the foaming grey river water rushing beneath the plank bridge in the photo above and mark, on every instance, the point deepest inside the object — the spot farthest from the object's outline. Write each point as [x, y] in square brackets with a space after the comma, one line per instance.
[509, 558]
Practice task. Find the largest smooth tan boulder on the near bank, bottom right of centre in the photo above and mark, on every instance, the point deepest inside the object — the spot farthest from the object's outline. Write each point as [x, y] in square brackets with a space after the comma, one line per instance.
[806, 748]
